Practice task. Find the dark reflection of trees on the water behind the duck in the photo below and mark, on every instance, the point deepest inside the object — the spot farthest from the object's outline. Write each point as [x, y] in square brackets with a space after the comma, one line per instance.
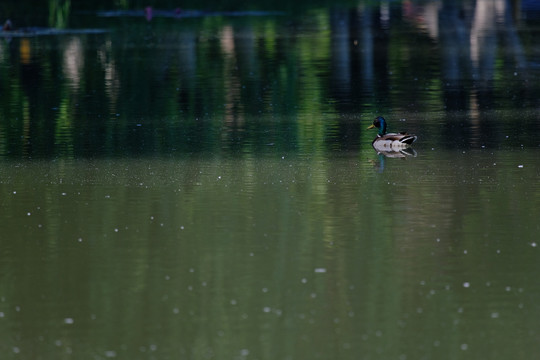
[266, 83]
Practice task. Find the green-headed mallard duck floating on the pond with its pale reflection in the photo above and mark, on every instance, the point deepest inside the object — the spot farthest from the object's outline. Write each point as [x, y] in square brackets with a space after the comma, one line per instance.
[392, 144]
